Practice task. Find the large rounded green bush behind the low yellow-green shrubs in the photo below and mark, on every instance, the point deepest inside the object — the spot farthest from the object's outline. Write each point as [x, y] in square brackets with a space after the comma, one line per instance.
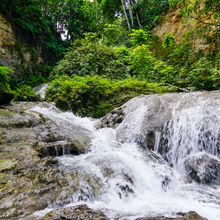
[88, 57]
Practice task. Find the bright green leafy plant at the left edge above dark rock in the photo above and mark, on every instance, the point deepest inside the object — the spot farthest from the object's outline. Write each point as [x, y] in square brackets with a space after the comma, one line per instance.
[4, 79]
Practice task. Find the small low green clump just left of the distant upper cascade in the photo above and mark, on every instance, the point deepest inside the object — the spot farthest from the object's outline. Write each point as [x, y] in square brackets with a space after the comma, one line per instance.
[25, 93]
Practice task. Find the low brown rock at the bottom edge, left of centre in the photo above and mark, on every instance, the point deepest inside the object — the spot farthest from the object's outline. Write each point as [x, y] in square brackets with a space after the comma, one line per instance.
[77, 212]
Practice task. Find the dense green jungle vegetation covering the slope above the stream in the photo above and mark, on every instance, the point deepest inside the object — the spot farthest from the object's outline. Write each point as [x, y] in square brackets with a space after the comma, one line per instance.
[101, 53]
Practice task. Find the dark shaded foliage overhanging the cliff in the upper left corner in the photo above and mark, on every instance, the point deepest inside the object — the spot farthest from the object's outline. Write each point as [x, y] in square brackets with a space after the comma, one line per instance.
[34, 25]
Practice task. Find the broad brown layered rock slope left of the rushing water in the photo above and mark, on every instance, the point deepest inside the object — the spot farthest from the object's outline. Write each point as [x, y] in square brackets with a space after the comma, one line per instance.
[30, 178]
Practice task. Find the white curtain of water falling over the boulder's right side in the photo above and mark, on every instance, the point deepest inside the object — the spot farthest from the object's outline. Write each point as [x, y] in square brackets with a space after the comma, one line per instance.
[192, 129]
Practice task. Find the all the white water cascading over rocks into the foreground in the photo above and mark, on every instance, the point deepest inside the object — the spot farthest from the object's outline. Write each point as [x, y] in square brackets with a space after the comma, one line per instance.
[127, 181]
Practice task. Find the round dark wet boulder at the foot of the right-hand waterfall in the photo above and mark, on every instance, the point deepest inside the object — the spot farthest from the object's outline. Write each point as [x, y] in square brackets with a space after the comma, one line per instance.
[202, 168]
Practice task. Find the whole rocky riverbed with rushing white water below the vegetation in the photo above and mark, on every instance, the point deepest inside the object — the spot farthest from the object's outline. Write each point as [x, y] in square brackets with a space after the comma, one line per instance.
[54, 165]
